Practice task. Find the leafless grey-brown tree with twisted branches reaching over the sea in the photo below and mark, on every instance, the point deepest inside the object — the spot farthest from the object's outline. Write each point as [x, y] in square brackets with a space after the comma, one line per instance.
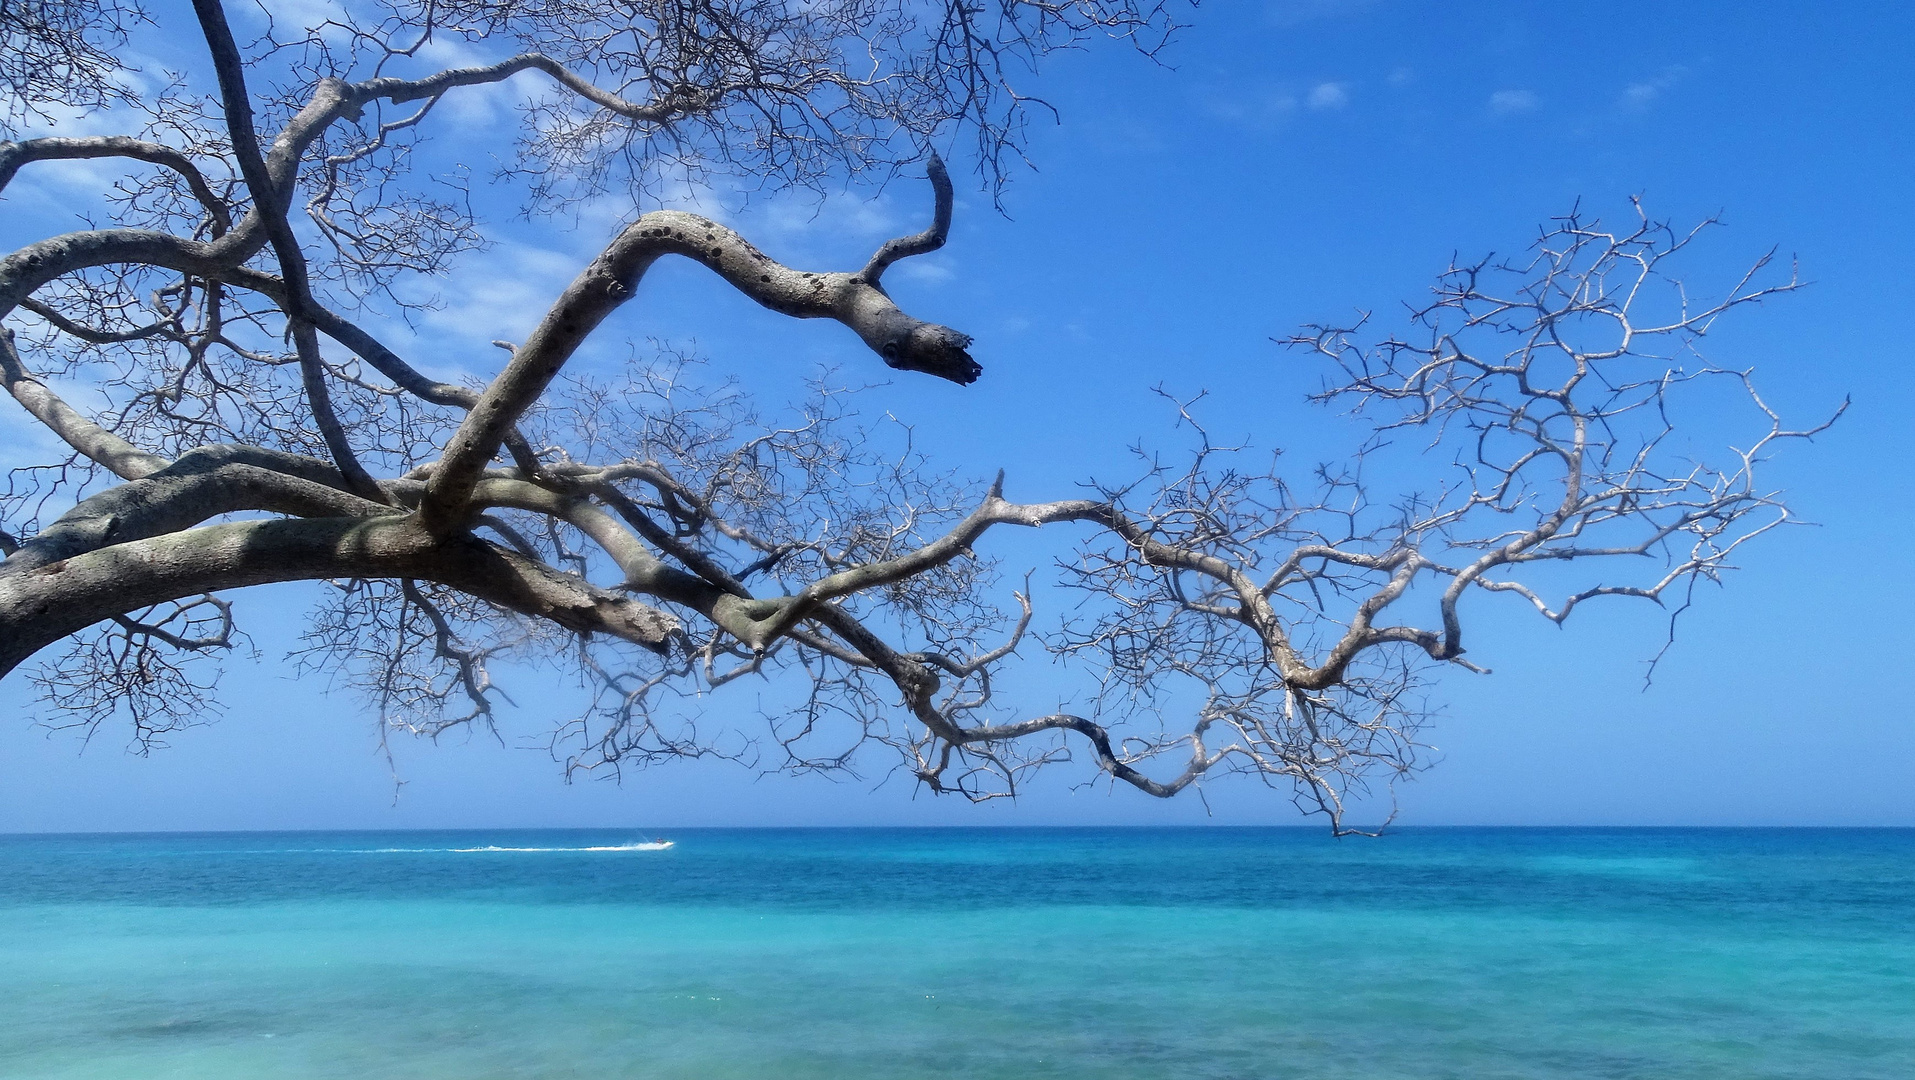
[240, 426]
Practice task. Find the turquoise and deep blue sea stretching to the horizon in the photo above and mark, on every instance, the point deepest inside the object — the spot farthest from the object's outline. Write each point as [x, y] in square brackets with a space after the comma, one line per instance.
[962, 955]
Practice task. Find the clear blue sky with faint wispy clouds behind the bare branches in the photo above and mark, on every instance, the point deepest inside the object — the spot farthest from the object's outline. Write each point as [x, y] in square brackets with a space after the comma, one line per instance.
[1290, 164]
